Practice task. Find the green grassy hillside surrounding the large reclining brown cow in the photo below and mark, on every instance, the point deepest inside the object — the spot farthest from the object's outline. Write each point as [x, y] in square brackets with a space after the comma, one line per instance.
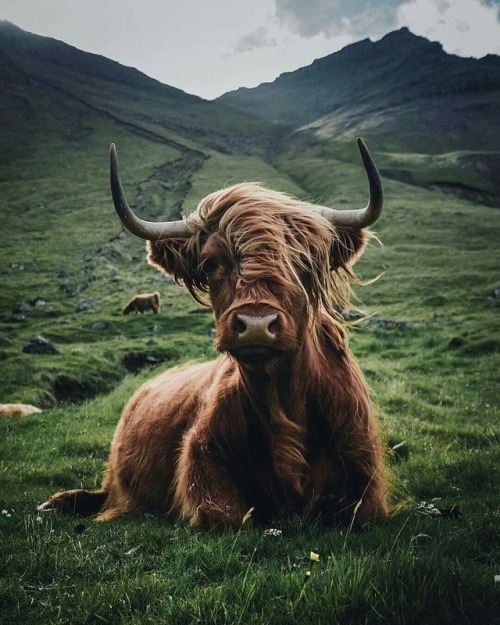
[430, 352]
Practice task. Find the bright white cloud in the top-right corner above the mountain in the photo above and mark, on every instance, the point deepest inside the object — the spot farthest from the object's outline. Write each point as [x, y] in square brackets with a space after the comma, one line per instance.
[464, 27]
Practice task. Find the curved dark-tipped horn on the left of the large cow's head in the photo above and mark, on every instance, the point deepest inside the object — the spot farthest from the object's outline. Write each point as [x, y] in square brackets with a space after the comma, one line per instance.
[150, 230]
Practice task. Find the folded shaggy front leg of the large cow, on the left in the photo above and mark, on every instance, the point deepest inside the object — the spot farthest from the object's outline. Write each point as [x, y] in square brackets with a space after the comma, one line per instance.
[206, 493]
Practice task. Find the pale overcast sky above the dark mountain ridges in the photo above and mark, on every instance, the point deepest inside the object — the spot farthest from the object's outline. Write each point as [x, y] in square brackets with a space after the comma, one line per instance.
[208, 47]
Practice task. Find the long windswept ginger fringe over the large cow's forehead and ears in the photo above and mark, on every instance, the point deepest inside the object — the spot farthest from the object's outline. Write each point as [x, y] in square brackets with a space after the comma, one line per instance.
[282, 239]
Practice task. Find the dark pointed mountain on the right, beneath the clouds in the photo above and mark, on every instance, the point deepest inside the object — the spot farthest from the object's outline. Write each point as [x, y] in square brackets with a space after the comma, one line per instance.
[399, 69]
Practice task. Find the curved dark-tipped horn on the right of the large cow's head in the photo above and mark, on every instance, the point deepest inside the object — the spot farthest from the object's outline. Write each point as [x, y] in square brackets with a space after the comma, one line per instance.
[362, 217]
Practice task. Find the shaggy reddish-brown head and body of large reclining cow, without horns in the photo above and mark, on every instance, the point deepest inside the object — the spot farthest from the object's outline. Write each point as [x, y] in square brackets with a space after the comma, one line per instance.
[282, 423]
